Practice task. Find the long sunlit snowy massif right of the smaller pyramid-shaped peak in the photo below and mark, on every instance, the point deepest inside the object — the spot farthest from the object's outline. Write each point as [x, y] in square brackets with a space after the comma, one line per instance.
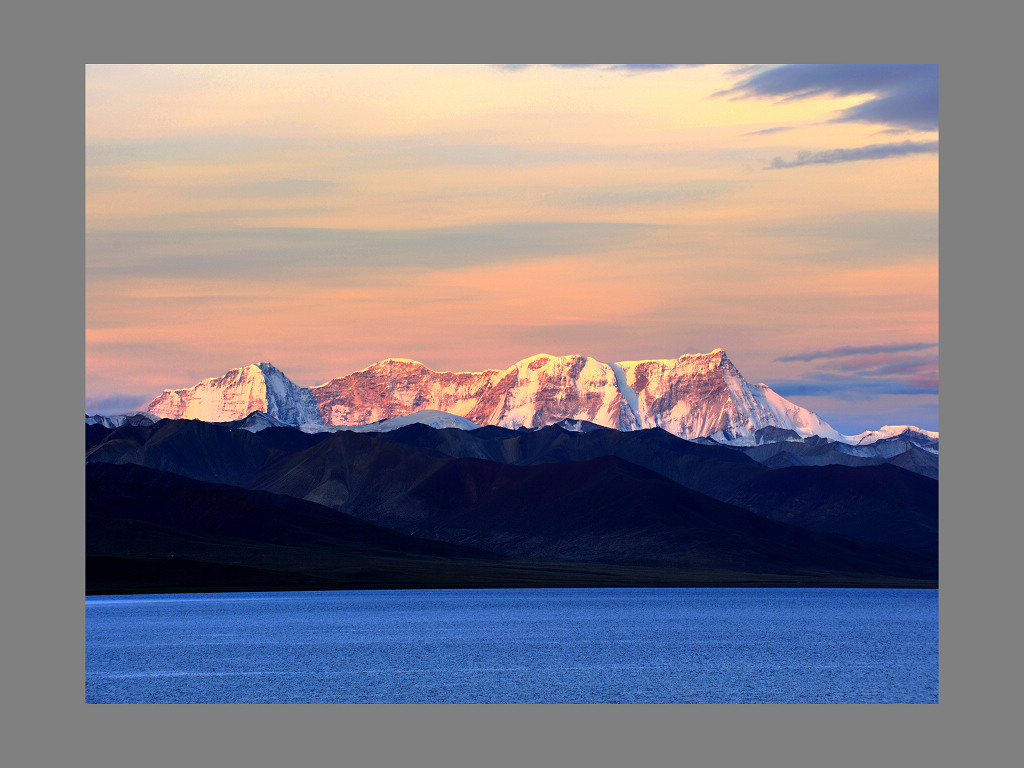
[695, 396]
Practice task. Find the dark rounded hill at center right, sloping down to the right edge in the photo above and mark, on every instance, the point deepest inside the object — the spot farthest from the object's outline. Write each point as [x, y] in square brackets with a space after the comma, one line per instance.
[609, 510]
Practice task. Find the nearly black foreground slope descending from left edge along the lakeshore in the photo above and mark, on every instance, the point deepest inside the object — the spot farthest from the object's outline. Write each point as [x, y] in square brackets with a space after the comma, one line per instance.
[149, 531]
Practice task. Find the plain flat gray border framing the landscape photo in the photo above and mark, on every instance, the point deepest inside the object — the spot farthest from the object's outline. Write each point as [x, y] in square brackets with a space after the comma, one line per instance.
[47, 723]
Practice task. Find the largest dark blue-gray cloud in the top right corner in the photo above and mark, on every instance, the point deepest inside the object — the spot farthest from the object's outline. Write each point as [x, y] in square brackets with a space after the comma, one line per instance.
[902, 96]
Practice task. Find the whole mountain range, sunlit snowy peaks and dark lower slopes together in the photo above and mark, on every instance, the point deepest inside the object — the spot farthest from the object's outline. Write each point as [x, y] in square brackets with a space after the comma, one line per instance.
[558, 472]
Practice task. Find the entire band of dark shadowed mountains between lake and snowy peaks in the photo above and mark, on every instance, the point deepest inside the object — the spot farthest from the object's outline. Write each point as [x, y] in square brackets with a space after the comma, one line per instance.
[186, 504]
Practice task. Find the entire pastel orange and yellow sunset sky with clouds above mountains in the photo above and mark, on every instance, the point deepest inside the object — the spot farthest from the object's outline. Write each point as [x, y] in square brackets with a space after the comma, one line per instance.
[326, 218]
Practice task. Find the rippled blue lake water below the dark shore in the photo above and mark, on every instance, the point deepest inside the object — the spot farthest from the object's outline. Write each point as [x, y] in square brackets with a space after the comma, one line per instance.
[559, 646]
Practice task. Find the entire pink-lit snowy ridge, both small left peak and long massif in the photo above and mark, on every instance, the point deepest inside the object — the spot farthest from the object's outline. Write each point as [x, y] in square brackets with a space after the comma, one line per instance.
[695, 396]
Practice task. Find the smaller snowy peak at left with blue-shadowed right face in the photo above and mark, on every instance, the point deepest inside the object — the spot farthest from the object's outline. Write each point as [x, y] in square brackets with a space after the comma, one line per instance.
[236, 395]
